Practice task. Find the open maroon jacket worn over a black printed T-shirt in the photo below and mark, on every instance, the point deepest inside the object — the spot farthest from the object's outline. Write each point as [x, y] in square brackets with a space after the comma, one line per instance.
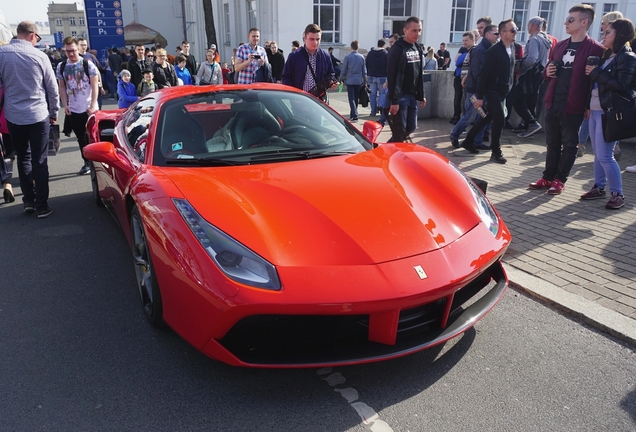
[579, 82]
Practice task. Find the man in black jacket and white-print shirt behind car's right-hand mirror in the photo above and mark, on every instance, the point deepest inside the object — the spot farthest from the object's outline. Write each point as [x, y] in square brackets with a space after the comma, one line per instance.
[404, 76]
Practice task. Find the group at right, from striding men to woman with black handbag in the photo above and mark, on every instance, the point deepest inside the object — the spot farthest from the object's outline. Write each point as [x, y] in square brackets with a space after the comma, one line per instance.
[573, 81]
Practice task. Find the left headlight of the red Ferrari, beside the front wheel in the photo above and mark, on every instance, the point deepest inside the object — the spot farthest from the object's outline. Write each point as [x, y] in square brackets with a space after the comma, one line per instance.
[235, 260]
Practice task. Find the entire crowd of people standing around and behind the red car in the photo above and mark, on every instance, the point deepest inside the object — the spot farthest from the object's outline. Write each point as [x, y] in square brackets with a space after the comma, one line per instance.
[493, 75]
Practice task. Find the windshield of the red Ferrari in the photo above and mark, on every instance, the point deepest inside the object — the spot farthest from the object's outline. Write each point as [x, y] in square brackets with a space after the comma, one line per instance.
[242, 126]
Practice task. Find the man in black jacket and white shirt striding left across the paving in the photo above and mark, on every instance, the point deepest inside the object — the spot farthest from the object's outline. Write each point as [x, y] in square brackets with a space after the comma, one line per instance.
[495, 81]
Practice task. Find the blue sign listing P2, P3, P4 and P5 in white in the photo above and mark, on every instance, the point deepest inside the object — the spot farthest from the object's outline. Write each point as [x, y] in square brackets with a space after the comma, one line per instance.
[105, 25]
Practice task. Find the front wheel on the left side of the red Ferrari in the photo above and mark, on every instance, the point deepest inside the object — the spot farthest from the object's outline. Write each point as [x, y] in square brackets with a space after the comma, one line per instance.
[147, 284]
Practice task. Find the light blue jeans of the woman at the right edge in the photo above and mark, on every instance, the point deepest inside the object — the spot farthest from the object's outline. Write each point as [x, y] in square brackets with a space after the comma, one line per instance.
[606, 169]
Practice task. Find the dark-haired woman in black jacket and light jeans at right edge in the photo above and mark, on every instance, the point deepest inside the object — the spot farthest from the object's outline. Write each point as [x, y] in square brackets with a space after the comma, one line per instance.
[615, 75]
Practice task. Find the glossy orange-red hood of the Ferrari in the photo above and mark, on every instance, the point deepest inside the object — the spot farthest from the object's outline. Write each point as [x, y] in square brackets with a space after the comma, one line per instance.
[380, 205]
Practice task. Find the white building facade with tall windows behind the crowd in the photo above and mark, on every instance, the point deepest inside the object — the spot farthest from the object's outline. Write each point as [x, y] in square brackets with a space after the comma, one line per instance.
[345, 20]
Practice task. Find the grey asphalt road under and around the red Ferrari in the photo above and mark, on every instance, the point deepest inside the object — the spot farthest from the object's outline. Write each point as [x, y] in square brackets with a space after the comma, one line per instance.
[77, 354]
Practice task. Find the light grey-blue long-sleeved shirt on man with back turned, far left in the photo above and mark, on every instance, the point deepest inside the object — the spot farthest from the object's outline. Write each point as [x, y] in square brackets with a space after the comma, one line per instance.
[31, 94]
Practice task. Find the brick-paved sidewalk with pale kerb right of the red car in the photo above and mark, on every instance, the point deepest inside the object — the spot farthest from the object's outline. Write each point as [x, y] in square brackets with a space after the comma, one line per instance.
[574, 254]
